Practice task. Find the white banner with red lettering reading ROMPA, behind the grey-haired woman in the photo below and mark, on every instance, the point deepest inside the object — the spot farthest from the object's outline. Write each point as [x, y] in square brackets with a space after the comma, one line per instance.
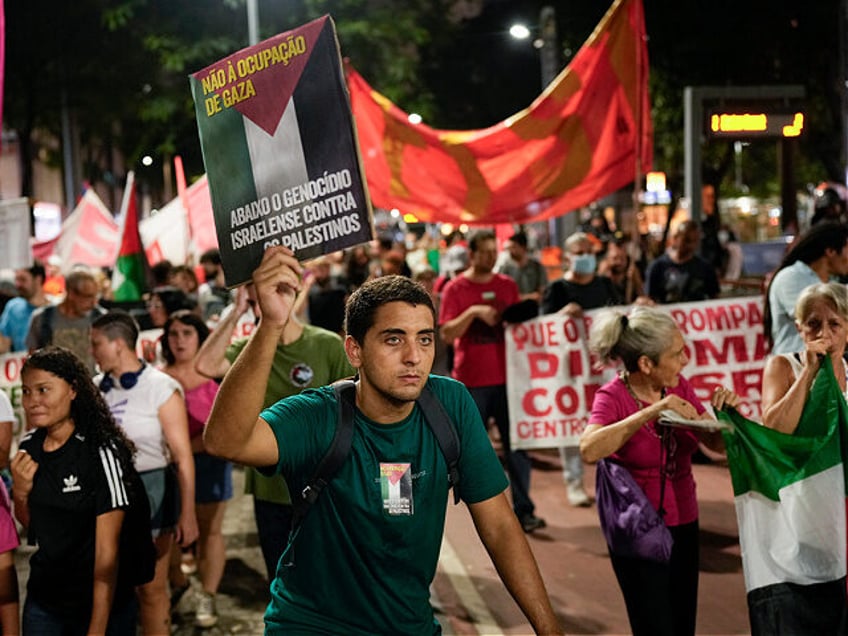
[552, 379]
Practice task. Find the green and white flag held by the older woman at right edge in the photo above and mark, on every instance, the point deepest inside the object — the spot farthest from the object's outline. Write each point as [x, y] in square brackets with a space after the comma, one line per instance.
[790, 491]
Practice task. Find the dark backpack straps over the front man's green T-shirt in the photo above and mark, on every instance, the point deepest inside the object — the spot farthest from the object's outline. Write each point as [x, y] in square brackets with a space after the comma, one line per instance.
[345, 390]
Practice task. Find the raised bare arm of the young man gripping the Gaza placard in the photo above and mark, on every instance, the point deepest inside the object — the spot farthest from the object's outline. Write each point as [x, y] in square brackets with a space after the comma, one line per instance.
[234, 430]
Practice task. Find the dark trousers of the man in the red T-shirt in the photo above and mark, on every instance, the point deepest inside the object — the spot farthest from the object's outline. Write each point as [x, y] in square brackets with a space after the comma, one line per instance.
[491, 402]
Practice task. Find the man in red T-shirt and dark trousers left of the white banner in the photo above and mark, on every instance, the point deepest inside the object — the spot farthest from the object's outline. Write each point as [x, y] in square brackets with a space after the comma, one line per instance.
[470, 319]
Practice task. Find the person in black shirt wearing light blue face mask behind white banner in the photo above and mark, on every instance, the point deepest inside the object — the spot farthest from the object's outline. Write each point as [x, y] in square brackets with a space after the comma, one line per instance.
[579, 289]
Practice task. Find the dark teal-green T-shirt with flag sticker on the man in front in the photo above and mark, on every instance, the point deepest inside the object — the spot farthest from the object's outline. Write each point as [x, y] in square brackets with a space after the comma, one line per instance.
[367, 551]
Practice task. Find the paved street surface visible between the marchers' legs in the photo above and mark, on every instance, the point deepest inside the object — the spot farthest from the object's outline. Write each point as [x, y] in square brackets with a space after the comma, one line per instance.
[467, 593]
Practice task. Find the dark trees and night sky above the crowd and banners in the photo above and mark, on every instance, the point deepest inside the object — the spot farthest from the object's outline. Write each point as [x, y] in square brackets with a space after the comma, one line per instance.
[121, 67]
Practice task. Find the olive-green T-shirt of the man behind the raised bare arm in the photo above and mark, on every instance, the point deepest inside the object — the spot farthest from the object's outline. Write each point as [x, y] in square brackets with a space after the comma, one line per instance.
[315, 359]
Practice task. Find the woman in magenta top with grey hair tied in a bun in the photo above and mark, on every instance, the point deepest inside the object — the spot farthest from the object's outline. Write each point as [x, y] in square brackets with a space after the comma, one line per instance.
[661, 598]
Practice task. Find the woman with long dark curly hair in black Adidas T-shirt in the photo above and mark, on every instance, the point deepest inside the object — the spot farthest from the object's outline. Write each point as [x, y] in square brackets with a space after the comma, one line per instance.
[71, 492]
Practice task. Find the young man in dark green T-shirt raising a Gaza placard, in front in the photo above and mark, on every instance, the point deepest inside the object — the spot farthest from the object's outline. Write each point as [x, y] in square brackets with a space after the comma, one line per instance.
[388, 551]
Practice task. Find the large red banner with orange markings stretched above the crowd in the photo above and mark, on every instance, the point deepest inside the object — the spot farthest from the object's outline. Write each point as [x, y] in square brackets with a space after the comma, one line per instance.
[587, 135]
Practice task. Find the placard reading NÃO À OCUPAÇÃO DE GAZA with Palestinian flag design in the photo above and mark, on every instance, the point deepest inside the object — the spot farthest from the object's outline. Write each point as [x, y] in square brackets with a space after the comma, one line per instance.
[279, 145]
